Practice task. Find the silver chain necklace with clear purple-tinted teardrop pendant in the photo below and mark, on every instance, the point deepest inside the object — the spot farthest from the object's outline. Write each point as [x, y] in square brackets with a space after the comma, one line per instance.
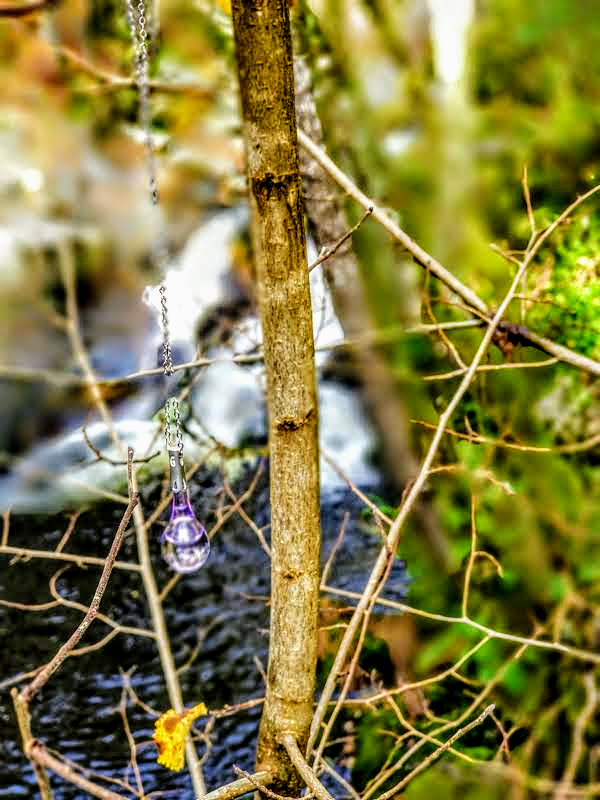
[184, 542]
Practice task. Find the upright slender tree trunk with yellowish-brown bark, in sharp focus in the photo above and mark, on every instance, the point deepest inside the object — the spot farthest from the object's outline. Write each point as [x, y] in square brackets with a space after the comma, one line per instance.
[265, 70]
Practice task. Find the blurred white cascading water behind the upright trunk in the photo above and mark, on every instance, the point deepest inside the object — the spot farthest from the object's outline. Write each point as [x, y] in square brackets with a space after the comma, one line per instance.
[227, 402]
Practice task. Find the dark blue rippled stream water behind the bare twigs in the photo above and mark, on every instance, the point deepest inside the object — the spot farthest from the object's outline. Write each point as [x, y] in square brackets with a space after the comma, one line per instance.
[77, 712]
